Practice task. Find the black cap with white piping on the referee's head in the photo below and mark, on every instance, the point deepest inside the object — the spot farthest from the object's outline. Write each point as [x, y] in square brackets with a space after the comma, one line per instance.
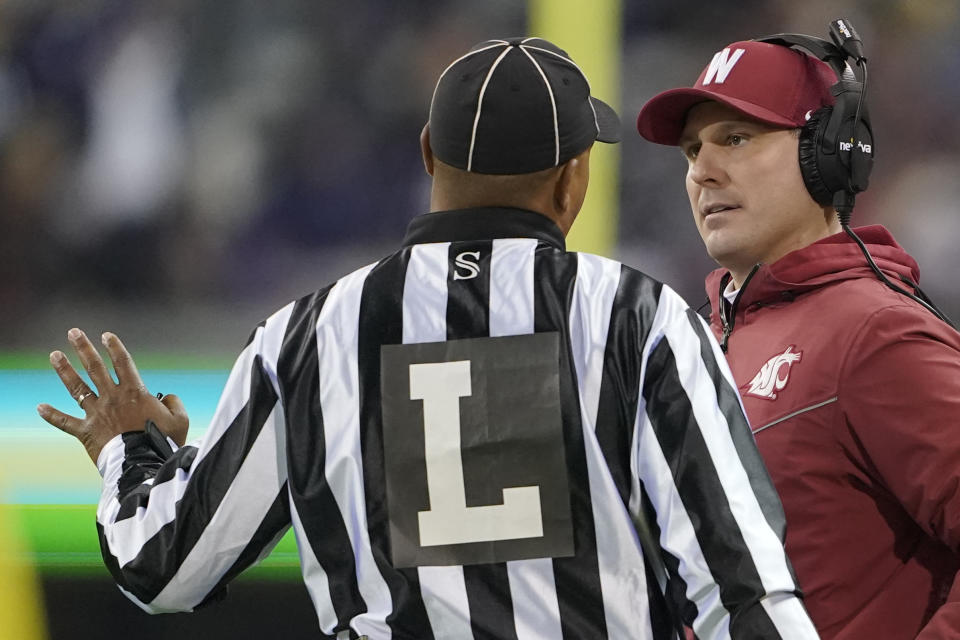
[513, 106]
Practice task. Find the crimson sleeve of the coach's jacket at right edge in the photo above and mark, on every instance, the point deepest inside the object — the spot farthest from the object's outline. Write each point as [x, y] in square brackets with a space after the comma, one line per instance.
[900, 393]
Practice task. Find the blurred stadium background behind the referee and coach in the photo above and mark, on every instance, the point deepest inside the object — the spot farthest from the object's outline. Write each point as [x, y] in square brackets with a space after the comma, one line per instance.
[174, 171]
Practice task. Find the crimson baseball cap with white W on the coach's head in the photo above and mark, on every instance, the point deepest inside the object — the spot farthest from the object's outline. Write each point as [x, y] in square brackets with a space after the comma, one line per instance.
[768, 82]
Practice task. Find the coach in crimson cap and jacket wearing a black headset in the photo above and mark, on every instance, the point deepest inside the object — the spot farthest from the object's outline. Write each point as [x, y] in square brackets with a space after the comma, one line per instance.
[849, 374]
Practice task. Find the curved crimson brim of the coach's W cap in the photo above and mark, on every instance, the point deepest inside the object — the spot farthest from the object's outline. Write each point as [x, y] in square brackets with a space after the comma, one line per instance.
[662, 119]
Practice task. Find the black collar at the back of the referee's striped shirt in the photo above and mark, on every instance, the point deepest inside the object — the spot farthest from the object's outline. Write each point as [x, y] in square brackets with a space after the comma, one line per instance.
[482, 223]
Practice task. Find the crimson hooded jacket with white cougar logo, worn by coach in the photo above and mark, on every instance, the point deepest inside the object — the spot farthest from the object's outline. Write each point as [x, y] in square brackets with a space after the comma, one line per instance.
[853, 394]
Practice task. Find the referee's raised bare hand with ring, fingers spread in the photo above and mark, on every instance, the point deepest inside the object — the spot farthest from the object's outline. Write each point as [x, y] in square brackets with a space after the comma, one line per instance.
[115, 407]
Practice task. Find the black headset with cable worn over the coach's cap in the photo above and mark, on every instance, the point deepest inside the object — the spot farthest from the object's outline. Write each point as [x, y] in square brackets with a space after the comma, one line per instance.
[836, 147]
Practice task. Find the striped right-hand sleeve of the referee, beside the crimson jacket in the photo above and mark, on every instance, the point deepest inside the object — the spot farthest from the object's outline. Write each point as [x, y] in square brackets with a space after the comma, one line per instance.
[705, 491]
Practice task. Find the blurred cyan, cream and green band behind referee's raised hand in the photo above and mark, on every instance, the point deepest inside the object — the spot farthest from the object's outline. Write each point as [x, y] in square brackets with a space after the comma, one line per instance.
[50, 486]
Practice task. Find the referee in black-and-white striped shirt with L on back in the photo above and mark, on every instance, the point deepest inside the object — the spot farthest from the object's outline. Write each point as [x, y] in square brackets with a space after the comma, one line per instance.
[481, 436]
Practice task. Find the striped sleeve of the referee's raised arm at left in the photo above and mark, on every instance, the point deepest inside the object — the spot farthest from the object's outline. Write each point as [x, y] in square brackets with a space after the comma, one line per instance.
[176, 526]
